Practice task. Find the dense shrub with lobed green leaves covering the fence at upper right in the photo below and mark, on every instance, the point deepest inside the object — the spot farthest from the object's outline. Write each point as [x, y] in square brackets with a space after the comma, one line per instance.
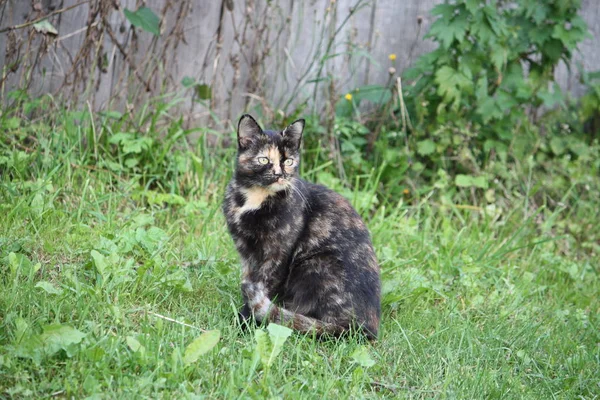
[493, 64]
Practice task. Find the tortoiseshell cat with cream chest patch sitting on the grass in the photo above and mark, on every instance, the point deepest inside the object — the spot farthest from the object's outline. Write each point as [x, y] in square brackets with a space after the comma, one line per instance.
[307, 259]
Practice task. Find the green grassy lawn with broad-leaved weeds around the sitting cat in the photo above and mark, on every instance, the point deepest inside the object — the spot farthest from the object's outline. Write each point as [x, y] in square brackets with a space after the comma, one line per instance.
[105, 281]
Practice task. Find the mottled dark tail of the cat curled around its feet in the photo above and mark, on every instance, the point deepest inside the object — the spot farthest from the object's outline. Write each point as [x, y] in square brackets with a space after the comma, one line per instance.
[265, 310]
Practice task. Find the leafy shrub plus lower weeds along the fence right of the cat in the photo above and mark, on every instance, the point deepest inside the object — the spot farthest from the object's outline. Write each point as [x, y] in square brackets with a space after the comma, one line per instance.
[484, 103]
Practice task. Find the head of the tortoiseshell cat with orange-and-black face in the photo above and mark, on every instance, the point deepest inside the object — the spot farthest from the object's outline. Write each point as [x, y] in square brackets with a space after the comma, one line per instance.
[270, 159]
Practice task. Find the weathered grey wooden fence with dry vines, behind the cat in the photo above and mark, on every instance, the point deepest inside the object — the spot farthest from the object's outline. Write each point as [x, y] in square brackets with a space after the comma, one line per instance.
[248, 53]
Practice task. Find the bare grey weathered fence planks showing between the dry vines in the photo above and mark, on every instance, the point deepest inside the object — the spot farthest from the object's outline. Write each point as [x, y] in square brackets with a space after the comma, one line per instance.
[241, 79]
